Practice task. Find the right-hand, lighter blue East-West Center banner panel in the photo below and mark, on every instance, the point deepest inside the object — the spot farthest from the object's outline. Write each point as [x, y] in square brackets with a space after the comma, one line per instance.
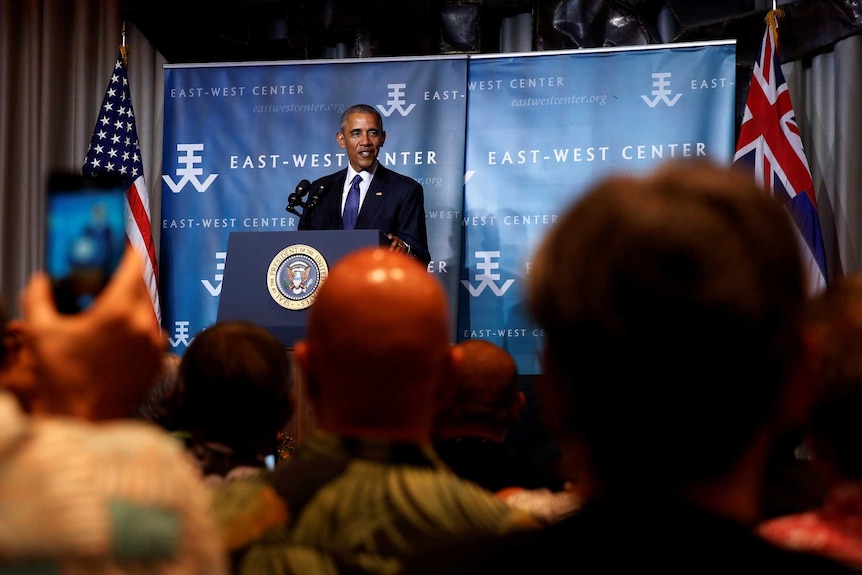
[541, 127]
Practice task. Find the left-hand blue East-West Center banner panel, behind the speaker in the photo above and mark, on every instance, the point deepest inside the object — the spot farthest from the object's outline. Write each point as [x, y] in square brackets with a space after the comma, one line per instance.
[239, 137]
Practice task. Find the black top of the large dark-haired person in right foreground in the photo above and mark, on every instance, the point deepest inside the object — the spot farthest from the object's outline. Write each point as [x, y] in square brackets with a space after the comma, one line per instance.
[627, 533]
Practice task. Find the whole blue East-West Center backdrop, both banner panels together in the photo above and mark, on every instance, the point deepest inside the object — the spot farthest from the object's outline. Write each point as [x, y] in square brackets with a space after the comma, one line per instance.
[501, 145]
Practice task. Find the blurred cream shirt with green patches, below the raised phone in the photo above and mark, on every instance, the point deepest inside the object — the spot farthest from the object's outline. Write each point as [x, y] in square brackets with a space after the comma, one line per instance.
[99, 499]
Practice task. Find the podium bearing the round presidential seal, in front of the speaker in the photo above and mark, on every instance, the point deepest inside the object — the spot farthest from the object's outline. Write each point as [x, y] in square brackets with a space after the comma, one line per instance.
[272, 278]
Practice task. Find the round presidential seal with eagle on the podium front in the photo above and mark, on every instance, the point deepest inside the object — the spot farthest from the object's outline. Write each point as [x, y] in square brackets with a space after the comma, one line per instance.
[294, 276]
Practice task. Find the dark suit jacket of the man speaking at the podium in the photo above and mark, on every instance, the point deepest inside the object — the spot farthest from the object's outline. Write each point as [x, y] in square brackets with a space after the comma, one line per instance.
[394, 204]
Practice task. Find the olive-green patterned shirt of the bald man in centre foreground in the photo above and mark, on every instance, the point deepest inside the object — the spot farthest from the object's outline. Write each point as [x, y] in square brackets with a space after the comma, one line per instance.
[366, 506]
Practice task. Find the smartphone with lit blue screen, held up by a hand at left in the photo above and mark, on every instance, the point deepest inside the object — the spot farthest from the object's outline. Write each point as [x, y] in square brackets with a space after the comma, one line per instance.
[85, 236]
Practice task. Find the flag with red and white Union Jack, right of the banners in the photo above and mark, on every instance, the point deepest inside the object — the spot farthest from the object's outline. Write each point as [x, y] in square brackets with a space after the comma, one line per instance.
[770, 147]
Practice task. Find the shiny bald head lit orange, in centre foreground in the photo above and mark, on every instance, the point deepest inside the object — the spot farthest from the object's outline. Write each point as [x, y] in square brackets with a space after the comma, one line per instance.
[377, 346]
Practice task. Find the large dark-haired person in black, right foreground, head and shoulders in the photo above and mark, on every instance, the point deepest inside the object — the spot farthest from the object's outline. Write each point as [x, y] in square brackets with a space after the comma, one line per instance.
[670, 304]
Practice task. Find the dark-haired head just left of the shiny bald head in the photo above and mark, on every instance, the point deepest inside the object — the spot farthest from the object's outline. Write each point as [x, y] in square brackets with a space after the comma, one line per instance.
[236, 397]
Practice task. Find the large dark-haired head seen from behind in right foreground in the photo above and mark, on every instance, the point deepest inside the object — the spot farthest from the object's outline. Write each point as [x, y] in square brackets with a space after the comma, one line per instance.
[671, 306]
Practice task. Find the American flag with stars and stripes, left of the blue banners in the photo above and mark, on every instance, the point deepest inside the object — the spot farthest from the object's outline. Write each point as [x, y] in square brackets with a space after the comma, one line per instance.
[114, 149]
